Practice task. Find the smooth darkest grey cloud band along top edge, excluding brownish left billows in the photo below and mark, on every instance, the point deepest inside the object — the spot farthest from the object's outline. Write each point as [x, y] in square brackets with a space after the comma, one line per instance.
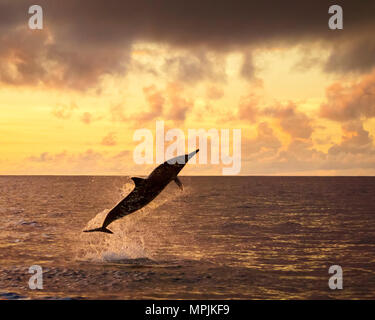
[213, 23]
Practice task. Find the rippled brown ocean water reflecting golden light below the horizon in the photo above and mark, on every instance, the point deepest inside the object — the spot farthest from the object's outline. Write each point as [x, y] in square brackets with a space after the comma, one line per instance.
[221, 238]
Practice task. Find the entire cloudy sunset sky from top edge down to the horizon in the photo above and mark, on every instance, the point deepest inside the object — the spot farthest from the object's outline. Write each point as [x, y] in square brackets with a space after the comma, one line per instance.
[72, 94]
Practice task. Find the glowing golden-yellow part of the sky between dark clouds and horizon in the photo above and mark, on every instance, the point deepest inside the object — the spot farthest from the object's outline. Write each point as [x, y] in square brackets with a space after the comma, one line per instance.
[296, 118]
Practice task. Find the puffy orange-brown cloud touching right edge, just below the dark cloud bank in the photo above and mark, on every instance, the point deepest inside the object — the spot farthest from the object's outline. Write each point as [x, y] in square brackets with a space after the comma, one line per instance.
[347, 102]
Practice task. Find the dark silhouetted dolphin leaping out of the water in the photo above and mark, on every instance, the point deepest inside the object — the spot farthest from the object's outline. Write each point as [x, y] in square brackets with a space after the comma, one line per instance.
[146, 190]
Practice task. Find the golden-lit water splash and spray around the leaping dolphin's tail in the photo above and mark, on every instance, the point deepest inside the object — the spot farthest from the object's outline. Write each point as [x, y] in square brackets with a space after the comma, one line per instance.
[131, 233]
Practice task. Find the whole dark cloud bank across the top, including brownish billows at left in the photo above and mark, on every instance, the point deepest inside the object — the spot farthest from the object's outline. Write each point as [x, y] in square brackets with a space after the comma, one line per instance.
[92, 38]
